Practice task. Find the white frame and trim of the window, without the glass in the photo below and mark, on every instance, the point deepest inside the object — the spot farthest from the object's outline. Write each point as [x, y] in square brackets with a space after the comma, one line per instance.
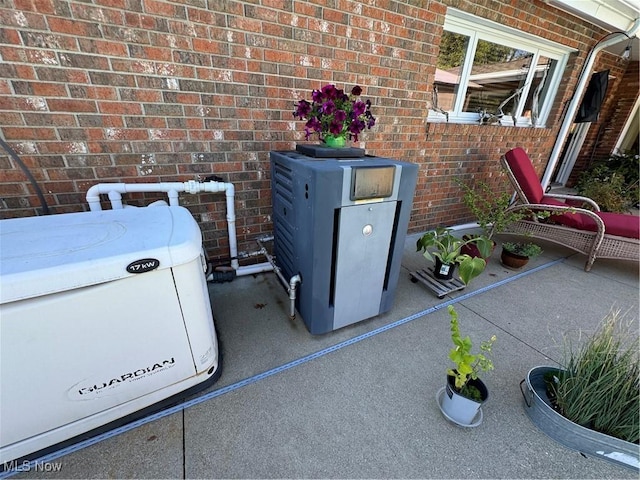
[478, 28]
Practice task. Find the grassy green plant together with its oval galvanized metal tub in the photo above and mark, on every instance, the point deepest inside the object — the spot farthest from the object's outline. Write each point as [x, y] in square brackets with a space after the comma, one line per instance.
[592, 403]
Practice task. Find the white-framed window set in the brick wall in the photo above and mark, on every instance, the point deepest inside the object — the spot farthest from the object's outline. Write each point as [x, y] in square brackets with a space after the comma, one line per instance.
[491, 74]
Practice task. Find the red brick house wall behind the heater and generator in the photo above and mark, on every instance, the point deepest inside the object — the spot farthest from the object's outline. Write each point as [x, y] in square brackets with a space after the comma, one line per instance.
[122, 90]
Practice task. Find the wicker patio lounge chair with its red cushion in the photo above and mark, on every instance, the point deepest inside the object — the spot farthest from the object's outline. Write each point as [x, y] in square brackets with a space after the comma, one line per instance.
[574, 222]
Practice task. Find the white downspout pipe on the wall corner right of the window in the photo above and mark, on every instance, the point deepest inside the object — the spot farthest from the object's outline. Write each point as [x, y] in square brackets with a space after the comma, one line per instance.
[577, 98]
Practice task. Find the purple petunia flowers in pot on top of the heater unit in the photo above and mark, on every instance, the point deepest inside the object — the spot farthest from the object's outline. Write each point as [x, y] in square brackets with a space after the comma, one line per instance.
[334, 115]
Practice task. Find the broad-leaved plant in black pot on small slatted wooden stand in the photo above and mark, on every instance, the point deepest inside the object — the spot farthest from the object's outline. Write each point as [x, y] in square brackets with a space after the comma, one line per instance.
[443, 248]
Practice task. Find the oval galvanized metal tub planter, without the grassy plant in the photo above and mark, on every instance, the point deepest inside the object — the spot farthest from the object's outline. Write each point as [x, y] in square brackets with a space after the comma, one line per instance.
[589, 442]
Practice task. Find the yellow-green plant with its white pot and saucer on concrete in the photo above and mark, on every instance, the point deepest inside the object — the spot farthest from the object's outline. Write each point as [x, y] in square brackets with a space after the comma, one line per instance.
[464, 393]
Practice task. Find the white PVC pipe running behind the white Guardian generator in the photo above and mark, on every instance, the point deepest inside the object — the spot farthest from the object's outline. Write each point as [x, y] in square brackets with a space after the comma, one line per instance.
[115, 191]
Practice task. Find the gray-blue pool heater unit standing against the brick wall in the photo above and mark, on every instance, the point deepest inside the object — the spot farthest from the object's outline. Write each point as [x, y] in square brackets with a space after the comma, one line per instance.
[340, 221]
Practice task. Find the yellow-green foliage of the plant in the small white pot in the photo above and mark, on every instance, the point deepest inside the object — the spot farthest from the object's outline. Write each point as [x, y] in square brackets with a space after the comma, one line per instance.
[467, 364]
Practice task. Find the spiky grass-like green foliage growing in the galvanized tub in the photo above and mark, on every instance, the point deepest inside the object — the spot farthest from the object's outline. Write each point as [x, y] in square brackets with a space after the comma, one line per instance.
[599, 388]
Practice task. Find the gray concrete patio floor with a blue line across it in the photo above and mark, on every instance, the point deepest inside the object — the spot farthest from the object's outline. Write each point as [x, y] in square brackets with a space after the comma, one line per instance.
[360, 402]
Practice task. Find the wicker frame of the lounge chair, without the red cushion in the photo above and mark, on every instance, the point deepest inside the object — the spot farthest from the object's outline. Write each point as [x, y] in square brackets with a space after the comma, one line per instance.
[596, 244]
